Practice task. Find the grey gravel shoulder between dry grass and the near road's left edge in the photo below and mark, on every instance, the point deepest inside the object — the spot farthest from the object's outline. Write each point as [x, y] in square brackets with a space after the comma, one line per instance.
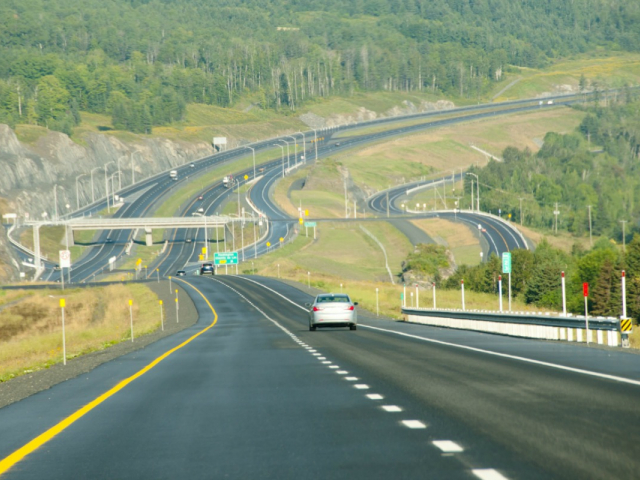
[26, 385]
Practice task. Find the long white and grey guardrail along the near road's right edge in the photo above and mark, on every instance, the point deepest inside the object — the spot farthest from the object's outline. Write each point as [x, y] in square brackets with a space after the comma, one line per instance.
[606, 330]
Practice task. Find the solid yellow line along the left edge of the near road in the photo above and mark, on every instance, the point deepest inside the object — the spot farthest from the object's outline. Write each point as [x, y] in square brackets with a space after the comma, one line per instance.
[43, 438]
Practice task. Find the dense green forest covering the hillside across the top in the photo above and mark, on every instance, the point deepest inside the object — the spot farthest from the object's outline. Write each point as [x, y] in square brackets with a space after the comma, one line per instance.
[142, 61]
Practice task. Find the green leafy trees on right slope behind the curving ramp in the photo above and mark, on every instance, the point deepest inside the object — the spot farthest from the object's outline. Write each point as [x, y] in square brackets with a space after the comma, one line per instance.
[591, 177]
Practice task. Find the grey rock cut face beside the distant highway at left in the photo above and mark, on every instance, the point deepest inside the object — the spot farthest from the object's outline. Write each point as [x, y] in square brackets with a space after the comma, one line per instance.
[29, 173]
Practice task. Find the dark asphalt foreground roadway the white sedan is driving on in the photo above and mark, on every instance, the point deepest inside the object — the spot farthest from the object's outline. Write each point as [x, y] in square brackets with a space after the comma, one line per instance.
[250, 392]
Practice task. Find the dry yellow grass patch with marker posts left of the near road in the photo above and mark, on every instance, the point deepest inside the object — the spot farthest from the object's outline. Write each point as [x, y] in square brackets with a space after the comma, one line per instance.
[95, 318]
